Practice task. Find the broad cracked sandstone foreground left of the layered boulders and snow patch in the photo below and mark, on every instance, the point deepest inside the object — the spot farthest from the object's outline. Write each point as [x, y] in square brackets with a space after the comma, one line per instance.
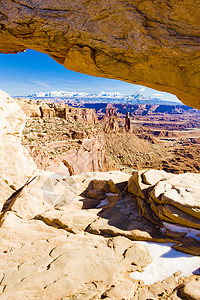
[50, 243]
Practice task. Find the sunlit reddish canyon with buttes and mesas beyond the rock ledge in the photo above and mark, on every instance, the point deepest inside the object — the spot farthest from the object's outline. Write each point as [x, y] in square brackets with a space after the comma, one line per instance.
[164, 137]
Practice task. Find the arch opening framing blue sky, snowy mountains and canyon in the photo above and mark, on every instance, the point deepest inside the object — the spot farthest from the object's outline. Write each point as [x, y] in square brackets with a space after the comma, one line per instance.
[164, 135]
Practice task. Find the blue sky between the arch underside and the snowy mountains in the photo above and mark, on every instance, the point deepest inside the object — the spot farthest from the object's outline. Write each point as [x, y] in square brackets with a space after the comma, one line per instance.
[30, 72]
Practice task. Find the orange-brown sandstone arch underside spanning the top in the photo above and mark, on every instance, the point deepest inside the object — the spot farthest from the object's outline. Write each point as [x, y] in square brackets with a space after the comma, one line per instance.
[155, 43]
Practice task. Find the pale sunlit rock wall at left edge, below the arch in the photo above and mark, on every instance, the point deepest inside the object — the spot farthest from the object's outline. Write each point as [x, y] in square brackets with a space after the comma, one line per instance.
[15, 163]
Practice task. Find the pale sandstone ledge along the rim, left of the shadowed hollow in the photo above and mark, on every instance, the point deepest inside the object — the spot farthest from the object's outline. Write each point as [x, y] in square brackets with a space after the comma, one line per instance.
[47, 190]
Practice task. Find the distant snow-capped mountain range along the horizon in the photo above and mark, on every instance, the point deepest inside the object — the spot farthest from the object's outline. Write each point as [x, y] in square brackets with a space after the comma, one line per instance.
[109, 97]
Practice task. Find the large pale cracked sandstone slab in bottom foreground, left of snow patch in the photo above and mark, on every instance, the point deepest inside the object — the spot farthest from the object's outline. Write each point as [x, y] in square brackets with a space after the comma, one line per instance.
[44, 260]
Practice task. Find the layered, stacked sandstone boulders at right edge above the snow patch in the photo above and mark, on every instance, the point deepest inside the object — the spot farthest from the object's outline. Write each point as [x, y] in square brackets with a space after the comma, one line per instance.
[173, 199]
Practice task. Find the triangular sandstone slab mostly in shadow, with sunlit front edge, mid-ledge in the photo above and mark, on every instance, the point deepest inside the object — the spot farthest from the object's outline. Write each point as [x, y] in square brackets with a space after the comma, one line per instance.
[123, 220]
